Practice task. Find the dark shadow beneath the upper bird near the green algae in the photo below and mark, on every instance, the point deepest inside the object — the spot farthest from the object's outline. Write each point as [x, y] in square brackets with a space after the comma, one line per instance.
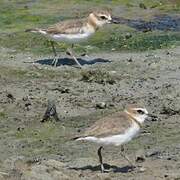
[70, 62]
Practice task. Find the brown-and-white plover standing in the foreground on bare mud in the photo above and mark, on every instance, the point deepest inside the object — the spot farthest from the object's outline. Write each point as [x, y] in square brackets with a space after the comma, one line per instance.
[116, 130]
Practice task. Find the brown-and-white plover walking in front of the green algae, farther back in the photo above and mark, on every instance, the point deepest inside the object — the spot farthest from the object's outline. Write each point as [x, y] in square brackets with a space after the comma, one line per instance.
[73, 31]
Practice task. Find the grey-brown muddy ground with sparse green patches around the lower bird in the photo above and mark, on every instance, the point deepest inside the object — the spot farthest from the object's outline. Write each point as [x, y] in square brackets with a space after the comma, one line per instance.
[30, 149]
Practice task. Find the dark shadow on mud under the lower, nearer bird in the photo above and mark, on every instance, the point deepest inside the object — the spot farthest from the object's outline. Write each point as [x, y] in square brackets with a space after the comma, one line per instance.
[111, 168]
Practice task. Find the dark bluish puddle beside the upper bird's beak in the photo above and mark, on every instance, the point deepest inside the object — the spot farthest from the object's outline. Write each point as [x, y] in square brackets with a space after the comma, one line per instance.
[161, 22]
